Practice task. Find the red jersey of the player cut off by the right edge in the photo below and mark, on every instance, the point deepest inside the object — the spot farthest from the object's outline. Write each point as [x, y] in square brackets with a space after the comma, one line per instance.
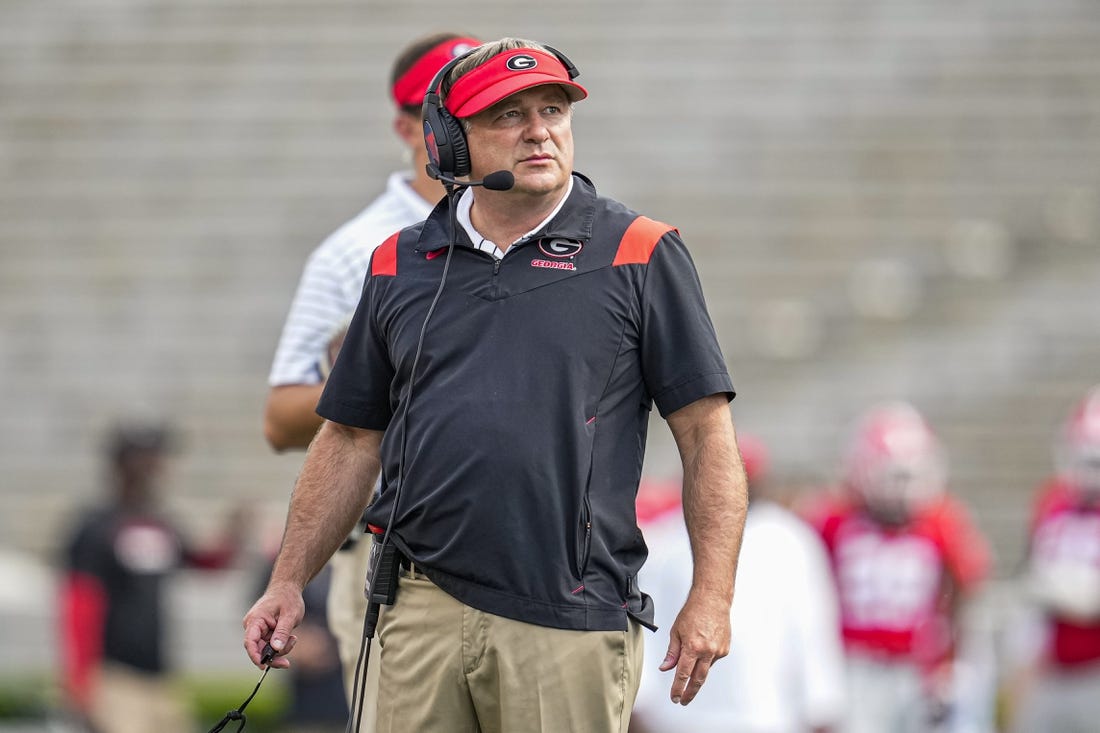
[1066, 531]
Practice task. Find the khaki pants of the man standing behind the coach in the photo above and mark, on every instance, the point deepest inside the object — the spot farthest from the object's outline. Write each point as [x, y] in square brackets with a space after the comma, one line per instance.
[347, 607]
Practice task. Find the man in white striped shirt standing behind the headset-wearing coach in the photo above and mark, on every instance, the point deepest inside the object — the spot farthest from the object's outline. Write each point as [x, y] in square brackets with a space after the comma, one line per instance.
[325, 302]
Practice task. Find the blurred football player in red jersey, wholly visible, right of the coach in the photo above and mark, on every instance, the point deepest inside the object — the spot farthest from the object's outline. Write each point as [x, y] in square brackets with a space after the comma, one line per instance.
[906, 559]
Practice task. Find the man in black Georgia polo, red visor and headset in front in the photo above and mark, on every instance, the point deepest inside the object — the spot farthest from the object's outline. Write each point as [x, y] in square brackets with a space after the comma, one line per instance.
[565, 318]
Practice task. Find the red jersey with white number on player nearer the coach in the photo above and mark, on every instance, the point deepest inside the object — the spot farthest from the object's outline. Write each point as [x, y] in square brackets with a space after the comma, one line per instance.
[893, 582]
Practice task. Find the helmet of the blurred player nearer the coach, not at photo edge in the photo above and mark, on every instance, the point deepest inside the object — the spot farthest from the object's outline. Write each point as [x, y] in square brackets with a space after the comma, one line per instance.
[895, 463]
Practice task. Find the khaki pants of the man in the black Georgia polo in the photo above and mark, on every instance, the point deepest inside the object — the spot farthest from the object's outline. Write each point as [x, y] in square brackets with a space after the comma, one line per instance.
[449, 669]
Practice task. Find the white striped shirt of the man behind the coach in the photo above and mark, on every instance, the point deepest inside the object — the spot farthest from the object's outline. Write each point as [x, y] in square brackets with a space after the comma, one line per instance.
[333, 281]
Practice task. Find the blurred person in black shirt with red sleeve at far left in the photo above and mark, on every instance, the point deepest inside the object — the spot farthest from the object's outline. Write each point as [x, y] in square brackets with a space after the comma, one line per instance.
[118, 561]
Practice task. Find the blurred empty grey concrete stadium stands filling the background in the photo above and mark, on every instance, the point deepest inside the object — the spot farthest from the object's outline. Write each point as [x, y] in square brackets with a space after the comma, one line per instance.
[168, 168]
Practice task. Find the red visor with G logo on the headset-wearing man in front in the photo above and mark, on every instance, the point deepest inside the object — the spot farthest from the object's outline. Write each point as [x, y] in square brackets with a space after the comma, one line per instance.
[507, 74]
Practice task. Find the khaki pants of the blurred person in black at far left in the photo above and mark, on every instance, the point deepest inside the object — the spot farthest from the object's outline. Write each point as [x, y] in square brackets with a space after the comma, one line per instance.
[129, 702]
